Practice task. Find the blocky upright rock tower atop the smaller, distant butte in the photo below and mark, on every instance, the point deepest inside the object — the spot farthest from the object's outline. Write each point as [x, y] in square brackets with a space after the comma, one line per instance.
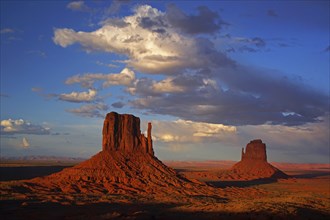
[255, 150]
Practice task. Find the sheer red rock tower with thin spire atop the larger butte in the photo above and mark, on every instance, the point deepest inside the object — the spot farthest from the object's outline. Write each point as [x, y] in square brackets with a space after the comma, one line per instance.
[122, 133]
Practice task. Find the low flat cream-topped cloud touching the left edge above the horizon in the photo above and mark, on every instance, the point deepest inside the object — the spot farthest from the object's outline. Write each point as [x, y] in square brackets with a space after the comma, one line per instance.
[10, 127]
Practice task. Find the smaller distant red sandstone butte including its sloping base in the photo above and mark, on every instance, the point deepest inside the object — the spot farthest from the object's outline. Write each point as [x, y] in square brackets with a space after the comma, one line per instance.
[254, 165]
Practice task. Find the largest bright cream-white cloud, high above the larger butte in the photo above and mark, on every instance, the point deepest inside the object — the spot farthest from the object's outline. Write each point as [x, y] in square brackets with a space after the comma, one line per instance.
[149, 50]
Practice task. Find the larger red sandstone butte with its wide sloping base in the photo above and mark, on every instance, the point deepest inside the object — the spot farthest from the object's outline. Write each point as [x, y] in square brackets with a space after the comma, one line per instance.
[126, 165]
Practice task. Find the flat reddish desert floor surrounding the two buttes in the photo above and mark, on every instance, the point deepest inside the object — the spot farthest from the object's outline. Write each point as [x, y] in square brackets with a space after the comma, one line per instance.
[306, 195]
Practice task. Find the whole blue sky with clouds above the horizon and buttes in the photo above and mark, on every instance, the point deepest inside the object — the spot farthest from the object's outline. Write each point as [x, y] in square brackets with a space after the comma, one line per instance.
[210, 76]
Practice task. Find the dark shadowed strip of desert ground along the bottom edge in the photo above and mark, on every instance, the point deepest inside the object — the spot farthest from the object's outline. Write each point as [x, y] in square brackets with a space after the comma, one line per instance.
[21, 209]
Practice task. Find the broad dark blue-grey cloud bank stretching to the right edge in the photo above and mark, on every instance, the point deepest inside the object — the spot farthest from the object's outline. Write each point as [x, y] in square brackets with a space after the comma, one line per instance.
[251, 97]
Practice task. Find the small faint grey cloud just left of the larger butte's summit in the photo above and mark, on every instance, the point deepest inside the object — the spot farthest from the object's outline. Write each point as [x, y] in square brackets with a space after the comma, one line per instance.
[91, 111]
